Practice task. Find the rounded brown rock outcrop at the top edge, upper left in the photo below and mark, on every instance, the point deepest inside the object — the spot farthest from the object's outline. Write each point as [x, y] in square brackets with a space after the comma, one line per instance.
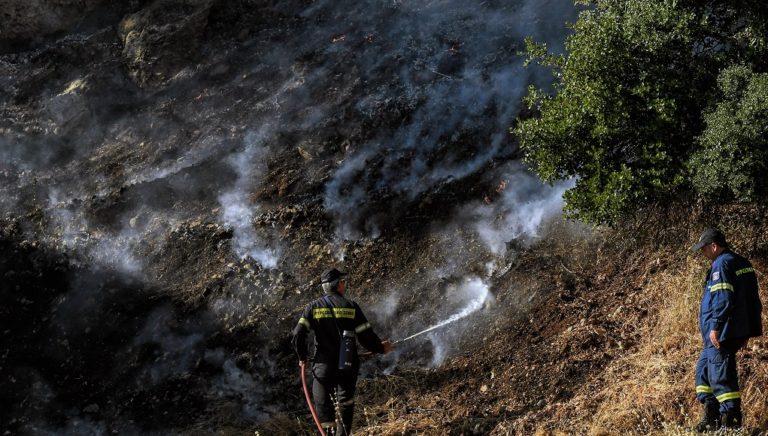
[162, 39]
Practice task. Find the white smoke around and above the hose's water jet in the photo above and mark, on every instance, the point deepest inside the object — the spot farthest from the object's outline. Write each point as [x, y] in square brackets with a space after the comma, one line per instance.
[513, 215]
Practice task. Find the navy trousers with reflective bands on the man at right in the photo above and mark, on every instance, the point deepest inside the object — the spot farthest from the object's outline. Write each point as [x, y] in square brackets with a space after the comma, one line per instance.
[717, 381]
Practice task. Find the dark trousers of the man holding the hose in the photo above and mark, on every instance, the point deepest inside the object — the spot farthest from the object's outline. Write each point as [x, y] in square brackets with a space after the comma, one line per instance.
[331, 387]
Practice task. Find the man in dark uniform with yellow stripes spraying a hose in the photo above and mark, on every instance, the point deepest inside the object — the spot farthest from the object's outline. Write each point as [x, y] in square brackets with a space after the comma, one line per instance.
[336, 321]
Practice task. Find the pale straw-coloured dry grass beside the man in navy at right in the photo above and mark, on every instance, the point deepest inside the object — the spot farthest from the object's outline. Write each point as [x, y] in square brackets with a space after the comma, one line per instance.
[651, 390]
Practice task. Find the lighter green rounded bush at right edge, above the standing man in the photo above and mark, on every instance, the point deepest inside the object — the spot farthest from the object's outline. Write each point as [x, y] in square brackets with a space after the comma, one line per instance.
[732, 160]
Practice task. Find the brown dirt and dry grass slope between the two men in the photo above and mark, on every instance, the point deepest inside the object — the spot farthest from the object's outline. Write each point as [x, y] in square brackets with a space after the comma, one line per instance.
[607, 347]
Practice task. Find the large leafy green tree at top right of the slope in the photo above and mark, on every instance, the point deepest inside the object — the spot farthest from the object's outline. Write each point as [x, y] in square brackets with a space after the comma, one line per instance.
[630, 98]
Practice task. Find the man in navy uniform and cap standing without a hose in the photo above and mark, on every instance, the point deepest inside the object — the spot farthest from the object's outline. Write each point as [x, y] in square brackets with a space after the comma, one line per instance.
[730, 314]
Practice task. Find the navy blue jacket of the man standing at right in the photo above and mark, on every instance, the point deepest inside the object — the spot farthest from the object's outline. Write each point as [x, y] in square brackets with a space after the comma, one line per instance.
[731, 303]
